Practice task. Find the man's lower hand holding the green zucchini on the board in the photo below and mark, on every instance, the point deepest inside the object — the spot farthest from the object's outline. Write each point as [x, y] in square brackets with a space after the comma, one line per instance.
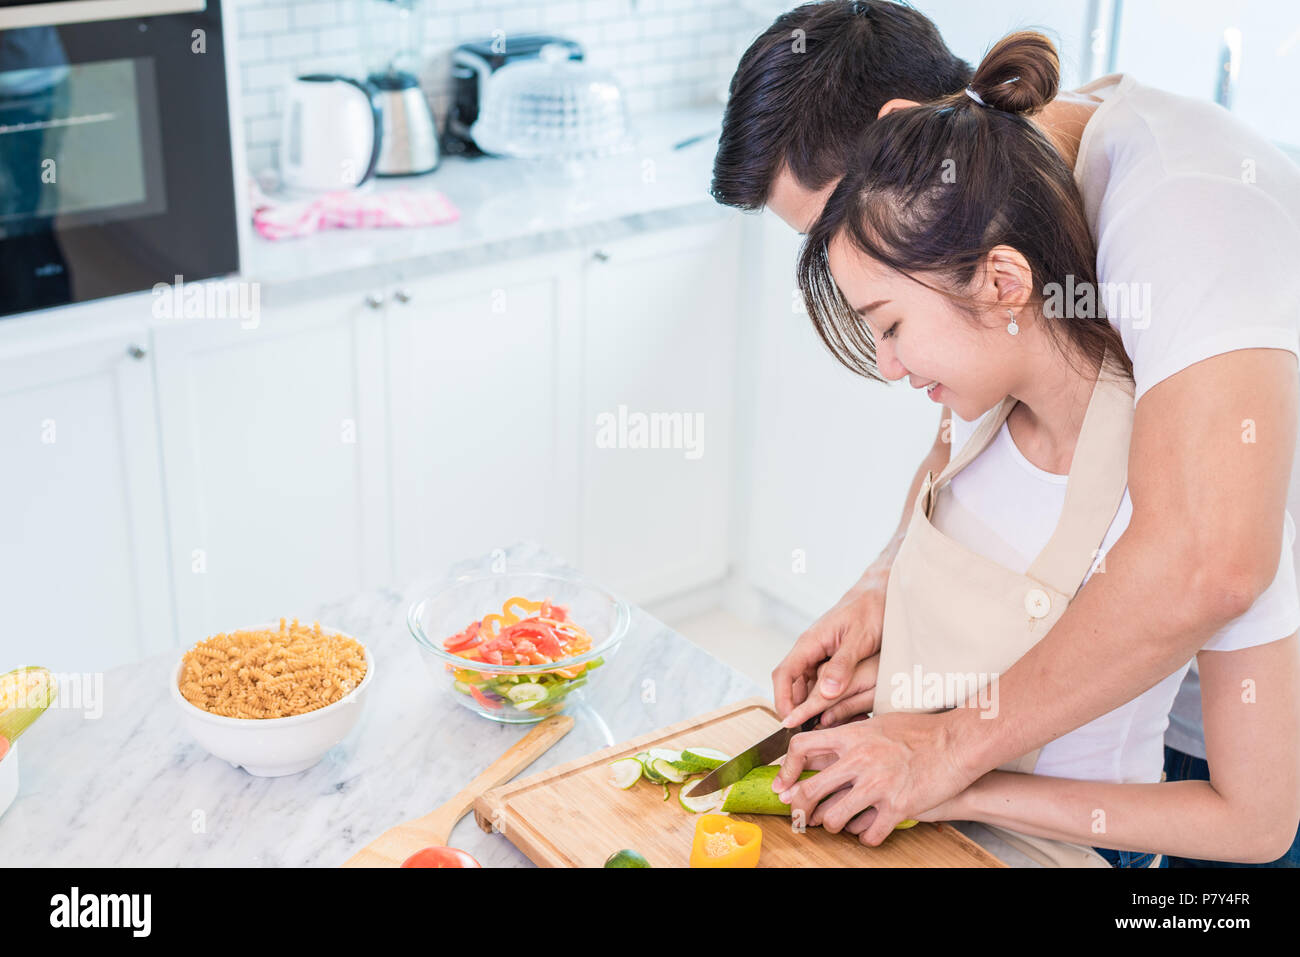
[900, 765]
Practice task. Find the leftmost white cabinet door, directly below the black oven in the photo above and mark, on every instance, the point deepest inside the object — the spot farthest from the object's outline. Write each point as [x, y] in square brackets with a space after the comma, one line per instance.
[84, 547]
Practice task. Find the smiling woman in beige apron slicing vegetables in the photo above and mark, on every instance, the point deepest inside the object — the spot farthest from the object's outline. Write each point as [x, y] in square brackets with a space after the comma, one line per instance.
[942, 257]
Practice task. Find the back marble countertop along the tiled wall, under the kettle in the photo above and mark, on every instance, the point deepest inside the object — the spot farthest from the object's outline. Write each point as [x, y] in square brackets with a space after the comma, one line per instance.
[512, 209]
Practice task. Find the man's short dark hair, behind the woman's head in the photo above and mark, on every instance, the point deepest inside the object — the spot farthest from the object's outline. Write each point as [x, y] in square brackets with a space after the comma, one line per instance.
[809, 86]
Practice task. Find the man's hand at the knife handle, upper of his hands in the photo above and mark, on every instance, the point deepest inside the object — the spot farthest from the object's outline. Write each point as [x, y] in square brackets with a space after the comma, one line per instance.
[824, 668]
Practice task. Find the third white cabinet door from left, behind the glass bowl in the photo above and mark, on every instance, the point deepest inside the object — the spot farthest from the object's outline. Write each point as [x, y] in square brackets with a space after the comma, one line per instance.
[483, 373]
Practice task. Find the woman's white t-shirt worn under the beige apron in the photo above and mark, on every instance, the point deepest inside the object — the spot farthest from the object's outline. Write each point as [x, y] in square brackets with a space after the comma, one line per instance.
[1006, 508]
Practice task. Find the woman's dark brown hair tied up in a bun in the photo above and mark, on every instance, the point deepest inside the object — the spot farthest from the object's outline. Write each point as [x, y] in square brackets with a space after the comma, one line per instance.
[933, 189]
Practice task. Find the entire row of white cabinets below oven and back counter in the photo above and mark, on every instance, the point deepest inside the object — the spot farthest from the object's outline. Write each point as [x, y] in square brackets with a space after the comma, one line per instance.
[242, 471]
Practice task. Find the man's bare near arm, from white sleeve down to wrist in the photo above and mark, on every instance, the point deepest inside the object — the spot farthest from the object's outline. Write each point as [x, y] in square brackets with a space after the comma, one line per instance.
[1194, 557]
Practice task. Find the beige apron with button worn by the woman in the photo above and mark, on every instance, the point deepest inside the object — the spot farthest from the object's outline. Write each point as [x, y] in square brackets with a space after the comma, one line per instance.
[955, 618]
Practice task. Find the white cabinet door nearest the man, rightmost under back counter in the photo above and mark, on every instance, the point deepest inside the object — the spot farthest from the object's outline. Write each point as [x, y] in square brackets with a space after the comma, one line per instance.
[658, 373]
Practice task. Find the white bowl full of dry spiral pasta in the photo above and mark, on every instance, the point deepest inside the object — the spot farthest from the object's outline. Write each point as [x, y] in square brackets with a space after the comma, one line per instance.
[274, 699]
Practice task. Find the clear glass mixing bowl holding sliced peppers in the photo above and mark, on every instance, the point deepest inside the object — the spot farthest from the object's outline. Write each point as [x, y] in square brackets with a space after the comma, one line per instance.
[517, 694]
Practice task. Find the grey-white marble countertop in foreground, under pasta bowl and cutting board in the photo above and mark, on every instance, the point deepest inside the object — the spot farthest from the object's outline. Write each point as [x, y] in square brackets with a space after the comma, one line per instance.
[132, 789]
